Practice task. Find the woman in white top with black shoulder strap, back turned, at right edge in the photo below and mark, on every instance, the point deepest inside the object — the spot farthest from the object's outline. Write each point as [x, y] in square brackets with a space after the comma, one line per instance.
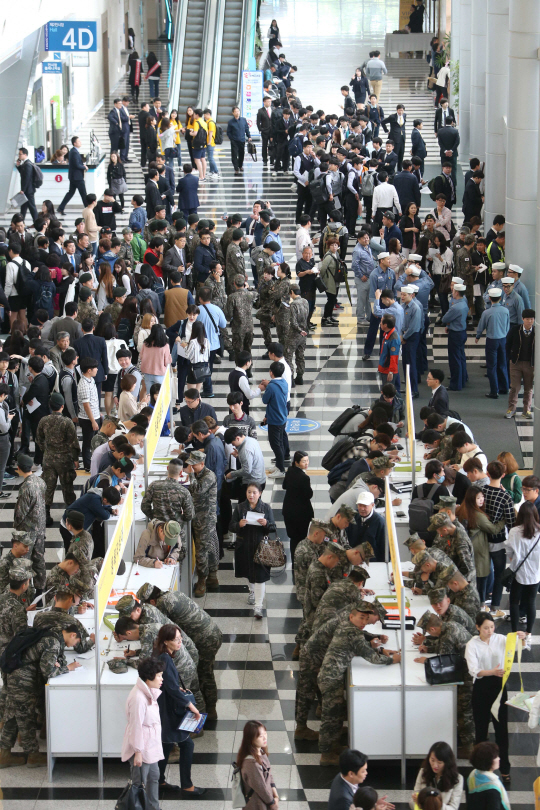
[523, 557]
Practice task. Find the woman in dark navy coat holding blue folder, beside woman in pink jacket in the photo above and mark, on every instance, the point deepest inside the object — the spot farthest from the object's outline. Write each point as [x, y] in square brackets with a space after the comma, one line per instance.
[174, 702]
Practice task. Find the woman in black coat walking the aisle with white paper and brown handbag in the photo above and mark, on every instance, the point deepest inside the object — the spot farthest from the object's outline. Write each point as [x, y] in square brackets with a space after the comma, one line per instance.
[252, 521]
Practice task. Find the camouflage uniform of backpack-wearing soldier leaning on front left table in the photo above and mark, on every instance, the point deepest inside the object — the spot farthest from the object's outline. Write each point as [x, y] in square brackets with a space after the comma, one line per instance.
[25, 688]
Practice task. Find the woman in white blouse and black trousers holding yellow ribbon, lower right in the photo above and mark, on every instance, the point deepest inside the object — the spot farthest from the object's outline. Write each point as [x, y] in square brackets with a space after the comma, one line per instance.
[484, 654]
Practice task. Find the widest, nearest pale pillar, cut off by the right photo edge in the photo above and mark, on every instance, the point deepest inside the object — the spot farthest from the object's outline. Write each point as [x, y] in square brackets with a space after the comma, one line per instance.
[522, 136]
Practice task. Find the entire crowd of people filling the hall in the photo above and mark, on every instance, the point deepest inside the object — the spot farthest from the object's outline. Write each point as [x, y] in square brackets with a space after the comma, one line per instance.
[93, 312]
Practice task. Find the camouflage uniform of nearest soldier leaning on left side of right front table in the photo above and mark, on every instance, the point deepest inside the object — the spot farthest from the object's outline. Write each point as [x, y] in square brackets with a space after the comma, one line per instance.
[348, 641]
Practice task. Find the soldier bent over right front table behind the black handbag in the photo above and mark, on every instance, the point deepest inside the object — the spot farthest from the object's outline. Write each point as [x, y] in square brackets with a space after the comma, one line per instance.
[447, 638]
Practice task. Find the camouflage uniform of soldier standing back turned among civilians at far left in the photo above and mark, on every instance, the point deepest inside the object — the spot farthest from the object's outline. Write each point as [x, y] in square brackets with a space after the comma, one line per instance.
[57, 437]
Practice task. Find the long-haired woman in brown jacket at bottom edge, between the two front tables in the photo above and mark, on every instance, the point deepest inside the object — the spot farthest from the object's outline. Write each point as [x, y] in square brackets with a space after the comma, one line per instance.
[252, 759]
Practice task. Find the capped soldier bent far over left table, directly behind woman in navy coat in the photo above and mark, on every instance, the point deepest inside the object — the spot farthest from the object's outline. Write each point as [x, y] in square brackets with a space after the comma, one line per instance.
[203, 631]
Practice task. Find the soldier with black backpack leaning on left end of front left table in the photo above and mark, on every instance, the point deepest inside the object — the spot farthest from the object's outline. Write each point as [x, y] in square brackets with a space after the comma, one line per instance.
[24, 695]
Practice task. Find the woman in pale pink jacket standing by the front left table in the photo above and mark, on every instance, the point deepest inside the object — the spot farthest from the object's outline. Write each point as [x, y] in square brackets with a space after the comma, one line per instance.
[142, 737]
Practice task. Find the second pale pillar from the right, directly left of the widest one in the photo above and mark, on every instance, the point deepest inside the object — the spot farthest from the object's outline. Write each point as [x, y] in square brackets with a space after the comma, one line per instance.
[496, 87]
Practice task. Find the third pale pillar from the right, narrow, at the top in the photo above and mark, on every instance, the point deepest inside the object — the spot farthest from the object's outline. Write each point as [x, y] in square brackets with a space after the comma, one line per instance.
[478, 80]
